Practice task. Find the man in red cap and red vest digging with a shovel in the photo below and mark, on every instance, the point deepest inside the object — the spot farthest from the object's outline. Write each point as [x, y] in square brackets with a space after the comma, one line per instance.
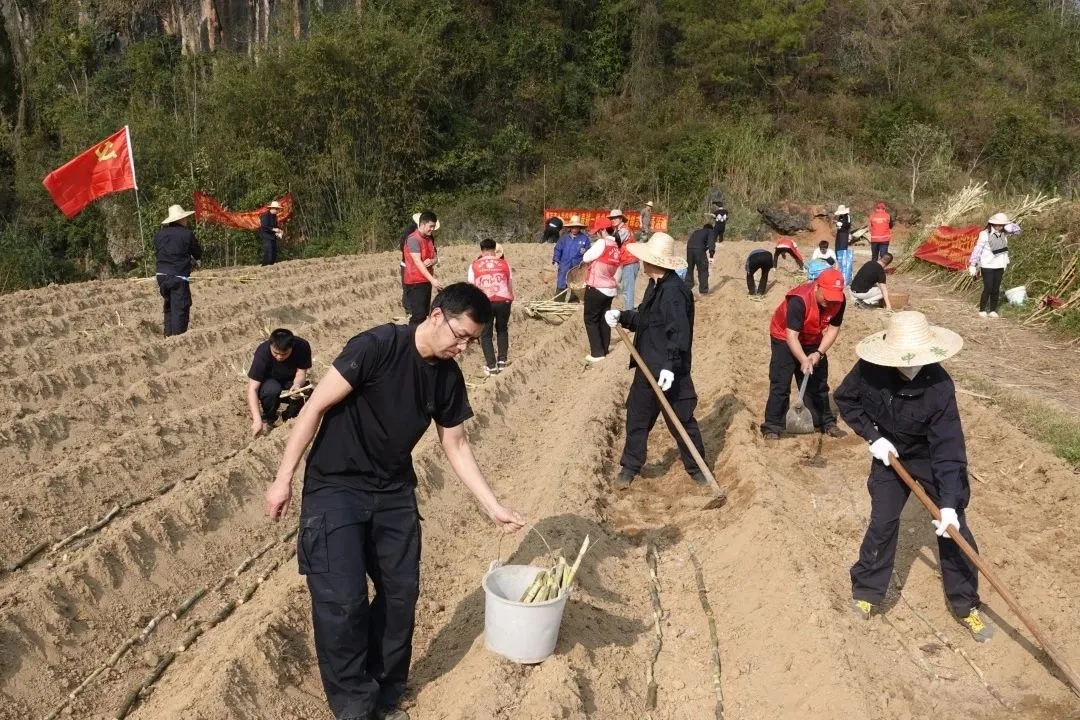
[804, 328]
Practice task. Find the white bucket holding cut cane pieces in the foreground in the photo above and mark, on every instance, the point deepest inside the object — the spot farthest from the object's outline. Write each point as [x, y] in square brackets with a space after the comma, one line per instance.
[523, 633]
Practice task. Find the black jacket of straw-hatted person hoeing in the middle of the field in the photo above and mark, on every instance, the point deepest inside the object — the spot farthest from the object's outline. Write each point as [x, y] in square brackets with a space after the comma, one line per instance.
[664, 327]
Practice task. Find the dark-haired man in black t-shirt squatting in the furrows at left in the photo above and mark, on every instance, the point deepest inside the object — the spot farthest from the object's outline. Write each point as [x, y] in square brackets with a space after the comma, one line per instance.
[280, 363]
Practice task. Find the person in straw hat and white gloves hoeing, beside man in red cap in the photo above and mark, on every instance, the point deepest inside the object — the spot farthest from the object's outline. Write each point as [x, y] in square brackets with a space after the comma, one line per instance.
[664, 336]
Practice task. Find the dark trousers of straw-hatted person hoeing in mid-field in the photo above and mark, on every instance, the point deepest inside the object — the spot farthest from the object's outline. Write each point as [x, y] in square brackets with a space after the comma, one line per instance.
[643, 407]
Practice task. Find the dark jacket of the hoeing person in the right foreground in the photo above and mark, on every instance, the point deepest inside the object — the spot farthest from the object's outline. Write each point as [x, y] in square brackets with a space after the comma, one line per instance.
[921, 418]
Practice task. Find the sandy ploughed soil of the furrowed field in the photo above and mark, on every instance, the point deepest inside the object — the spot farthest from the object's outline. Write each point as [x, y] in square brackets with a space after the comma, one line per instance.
[105, 414]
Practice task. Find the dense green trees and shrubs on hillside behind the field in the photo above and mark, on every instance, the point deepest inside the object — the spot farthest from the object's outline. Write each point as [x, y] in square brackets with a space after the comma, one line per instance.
[489, 110]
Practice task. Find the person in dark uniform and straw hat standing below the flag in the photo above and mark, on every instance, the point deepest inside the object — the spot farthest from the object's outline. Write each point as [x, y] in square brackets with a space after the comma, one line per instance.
[177, 251]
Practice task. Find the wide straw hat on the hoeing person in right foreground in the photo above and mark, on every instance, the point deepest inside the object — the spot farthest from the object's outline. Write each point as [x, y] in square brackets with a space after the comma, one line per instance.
[910, 341]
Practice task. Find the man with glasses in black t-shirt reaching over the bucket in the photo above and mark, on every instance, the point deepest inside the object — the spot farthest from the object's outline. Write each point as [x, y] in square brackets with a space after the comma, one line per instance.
[359, 517]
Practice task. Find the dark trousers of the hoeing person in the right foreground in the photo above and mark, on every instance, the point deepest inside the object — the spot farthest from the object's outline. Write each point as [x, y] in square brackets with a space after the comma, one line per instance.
[870, 576]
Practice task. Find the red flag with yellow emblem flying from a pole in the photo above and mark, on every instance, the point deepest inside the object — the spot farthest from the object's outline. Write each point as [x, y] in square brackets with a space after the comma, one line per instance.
[105, 169]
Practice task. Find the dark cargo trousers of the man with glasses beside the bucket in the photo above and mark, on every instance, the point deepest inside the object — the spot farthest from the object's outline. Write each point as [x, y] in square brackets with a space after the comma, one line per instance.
[364, 649]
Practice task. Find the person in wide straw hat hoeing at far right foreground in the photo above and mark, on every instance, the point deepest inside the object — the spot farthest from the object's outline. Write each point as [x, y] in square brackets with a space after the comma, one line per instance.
[900, 400]
